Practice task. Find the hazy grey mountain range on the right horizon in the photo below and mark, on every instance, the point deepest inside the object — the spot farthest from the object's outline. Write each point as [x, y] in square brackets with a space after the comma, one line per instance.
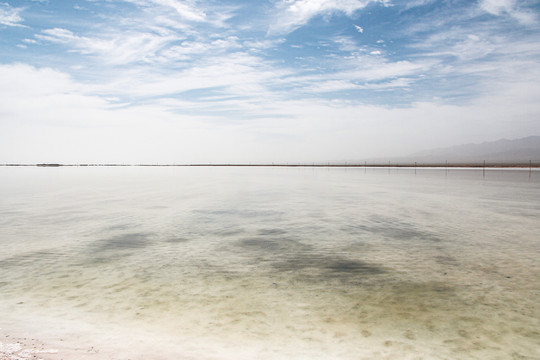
[500, 151]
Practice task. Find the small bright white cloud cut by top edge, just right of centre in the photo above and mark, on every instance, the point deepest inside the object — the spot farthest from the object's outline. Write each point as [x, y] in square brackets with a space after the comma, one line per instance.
[292, 14]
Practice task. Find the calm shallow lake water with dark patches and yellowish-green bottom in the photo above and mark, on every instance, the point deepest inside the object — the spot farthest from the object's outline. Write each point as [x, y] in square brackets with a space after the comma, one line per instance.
[271, 263]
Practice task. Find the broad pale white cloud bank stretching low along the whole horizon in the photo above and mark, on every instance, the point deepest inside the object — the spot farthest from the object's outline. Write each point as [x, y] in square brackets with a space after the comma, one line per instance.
[81, 127]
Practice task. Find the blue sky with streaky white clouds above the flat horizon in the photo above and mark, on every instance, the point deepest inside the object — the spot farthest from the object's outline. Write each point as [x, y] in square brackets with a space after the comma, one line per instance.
[245, 81]
